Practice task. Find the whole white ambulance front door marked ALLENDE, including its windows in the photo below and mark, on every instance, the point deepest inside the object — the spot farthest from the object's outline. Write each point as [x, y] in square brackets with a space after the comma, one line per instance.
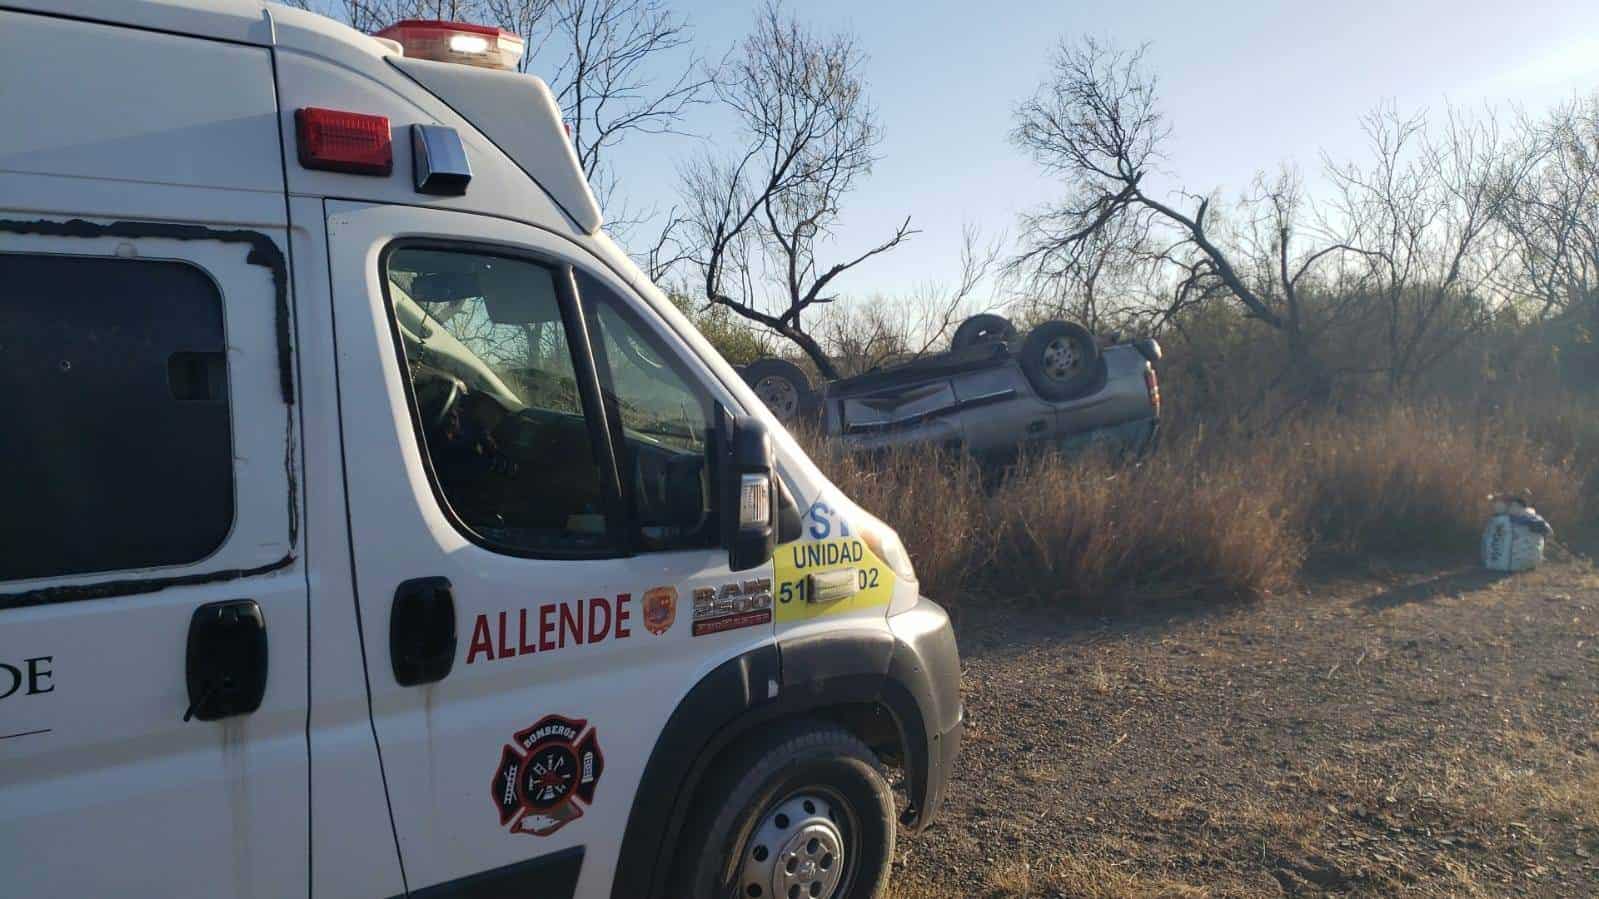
[536, 545]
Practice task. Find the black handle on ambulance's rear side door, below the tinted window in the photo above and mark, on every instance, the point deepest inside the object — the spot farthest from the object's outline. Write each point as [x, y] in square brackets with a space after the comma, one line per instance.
[226, 661]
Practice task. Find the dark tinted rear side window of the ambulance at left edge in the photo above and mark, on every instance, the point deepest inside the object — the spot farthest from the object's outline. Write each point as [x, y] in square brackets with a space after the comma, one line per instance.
[114, 410]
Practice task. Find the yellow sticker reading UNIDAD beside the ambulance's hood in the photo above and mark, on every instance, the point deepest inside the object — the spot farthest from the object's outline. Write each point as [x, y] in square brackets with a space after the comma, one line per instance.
[802, 597]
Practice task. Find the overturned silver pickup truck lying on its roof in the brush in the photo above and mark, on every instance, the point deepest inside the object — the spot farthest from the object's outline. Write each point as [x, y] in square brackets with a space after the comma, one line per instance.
[991, 394]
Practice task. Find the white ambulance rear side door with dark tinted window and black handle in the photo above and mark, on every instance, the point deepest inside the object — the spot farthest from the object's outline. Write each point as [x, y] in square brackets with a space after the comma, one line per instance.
[153, 602]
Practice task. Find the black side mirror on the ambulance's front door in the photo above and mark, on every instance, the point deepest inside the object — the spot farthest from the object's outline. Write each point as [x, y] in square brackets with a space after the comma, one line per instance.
[749, 509]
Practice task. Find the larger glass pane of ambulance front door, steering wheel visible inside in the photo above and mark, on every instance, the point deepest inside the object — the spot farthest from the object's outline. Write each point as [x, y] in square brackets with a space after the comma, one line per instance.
[496, 399]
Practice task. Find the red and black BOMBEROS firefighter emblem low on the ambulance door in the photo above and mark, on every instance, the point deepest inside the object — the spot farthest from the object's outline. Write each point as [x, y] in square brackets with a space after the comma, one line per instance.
[548, 775]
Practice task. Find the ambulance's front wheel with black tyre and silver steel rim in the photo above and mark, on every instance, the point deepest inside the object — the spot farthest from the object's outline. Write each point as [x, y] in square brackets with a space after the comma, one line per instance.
[803, 812]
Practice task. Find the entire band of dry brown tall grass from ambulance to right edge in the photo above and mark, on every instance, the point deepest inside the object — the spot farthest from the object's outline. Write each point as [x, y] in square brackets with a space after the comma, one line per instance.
[1214, 514]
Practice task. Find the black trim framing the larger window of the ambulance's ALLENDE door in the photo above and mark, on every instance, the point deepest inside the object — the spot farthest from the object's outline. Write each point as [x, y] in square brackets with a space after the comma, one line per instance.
[620, 524]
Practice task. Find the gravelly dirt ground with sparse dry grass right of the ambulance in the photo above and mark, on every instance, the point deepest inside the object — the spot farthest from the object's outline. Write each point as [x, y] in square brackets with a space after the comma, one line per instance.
[1430, 733]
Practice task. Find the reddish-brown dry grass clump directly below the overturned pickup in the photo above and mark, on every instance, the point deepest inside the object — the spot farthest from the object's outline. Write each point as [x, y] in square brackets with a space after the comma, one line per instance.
[1082, 530]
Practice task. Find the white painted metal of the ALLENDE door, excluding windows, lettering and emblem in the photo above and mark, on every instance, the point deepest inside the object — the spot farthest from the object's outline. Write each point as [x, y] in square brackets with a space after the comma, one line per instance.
[442, 743]
